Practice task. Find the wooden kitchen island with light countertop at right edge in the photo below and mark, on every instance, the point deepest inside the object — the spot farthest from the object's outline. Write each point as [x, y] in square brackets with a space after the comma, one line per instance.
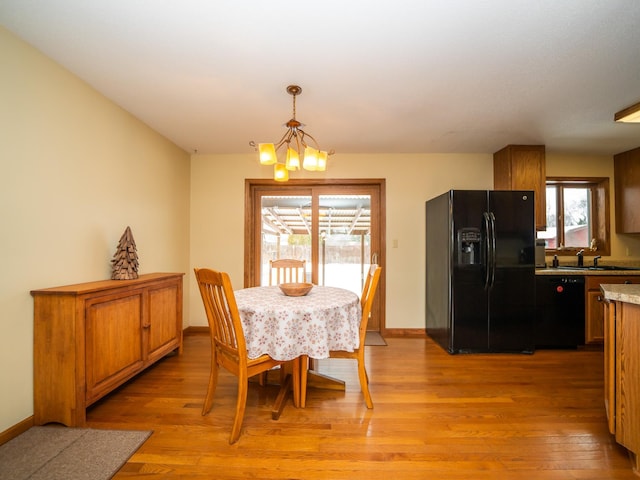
[622, 365]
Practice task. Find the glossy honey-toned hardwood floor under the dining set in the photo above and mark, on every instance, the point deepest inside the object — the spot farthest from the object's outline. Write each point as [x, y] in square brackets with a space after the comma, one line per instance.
[435, 416]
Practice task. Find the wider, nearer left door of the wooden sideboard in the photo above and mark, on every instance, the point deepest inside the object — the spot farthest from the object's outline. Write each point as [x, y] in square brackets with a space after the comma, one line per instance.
[113, 341]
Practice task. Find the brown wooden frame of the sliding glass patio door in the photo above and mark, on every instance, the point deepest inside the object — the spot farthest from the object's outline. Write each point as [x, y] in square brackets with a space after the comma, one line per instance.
[256, 188]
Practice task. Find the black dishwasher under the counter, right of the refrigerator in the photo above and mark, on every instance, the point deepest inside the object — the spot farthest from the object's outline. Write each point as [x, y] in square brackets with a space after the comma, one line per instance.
[560, 313]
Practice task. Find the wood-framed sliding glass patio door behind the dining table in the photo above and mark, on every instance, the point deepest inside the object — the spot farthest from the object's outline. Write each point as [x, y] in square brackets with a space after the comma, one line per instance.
[334, 228]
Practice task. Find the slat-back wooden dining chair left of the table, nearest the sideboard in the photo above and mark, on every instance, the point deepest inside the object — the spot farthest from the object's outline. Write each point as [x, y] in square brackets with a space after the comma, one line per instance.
[228, 347]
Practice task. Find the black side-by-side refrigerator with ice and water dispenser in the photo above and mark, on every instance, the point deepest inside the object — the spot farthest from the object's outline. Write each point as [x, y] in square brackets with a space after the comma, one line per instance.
[480, 285]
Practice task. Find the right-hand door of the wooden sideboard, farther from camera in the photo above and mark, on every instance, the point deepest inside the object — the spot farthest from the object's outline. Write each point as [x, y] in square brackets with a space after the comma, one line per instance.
[163, 325]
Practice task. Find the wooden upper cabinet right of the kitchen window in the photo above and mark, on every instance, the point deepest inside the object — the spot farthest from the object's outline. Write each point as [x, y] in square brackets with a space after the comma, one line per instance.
[626, 168]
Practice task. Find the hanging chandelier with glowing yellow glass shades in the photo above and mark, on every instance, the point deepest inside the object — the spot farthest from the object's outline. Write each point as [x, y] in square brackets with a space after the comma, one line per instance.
[294, 141]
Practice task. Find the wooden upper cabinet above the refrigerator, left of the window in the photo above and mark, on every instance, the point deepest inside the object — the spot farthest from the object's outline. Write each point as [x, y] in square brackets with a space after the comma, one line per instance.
[522, 167]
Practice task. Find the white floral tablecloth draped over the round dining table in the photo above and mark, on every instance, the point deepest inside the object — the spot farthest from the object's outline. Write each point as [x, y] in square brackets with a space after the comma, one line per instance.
[325, 319]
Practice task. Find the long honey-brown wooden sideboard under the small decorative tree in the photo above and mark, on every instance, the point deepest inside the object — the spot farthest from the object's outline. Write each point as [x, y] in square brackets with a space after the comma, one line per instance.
[92, 337]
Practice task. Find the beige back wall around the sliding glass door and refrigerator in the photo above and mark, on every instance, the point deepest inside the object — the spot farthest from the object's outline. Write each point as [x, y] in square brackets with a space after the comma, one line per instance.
[217, 213]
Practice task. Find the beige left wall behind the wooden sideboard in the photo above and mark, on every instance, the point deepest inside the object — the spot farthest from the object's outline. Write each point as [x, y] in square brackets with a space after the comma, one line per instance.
[76, 170]
